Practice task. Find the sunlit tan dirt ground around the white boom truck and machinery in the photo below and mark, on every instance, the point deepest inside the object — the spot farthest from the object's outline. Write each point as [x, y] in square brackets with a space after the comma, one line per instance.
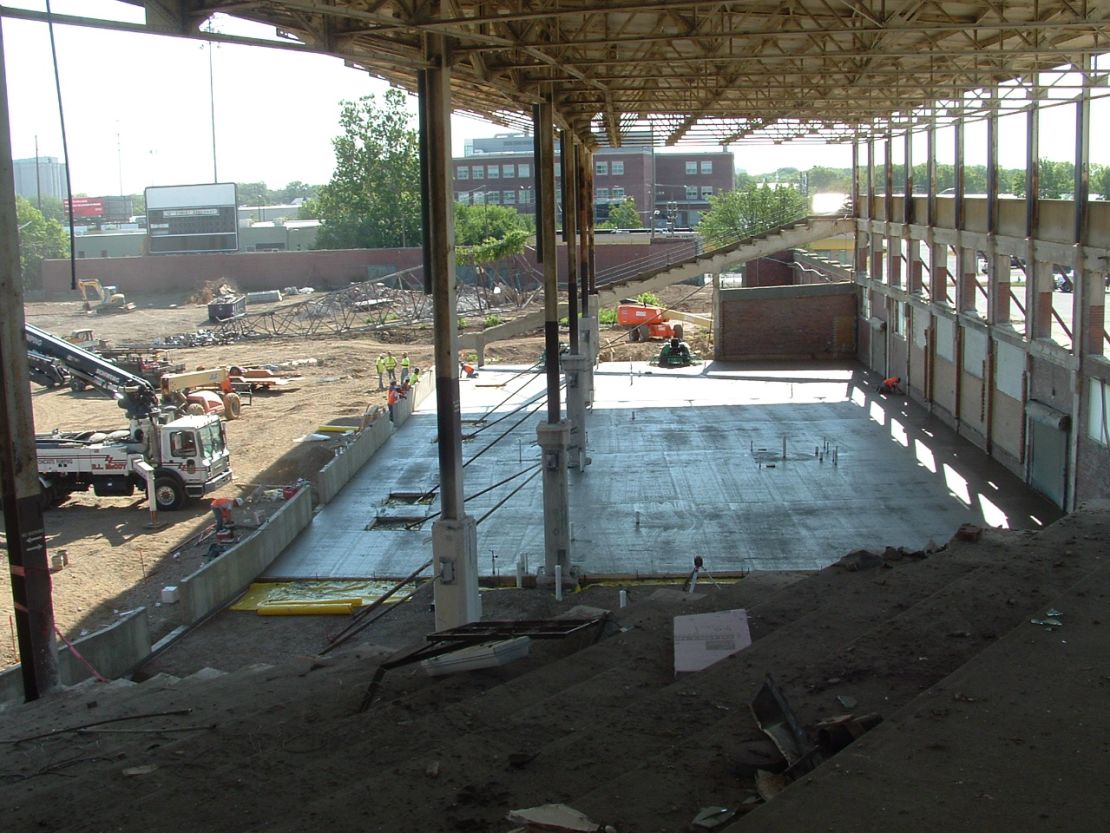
[116, 563]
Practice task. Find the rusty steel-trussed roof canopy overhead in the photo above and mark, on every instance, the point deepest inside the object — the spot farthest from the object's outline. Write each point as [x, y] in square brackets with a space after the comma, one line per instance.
[671, 72]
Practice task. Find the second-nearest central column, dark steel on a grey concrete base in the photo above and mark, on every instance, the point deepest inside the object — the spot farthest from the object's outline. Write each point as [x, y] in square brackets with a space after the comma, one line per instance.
[553, 434]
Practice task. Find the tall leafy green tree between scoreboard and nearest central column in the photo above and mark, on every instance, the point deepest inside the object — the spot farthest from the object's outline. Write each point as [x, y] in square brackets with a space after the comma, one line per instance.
[374, 199]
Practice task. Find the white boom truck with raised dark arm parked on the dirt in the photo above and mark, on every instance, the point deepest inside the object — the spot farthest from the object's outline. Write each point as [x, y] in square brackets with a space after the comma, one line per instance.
[186, 457]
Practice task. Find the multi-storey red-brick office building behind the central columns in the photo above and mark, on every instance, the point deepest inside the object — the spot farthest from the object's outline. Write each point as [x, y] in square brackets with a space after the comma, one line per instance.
[672, 188]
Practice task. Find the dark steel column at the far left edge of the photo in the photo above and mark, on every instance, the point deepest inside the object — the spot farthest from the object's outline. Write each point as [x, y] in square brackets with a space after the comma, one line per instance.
[21, 493]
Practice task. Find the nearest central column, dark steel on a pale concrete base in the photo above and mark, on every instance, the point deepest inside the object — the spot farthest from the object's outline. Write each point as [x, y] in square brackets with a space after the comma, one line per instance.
[455, 536]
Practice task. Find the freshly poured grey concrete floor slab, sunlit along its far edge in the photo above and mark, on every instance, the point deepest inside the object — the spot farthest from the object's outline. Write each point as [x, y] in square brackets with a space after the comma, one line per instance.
[685, 463]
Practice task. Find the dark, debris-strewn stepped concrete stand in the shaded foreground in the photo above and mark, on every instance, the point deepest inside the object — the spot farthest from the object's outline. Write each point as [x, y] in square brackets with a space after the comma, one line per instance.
[990, 721]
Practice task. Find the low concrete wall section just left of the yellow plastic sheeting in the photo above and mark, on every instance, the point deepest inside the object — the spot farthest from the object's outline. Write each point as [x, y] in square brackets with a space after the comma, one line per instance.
[224, 578]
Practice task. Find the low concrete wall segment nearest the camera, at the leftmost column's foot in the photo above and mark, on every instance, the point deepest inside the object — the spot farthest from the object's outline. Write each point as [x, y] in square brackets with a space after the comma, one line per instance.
[113, 651]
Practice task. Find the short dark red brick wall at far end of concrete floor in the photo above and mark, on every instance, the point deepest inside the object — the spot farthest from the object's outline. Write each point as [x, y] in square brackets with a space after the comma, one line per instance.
[789, 323]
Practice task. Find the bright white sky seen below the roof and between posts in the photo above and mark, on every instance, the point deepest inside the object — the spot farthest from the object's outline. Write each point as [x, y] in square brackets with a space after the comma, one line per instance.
[138, 109]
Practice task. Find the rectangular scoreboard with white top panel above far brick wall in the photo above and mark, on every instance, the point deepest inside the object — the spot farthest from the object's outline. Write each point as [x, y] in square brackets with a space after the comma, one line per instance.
[184, 219]
